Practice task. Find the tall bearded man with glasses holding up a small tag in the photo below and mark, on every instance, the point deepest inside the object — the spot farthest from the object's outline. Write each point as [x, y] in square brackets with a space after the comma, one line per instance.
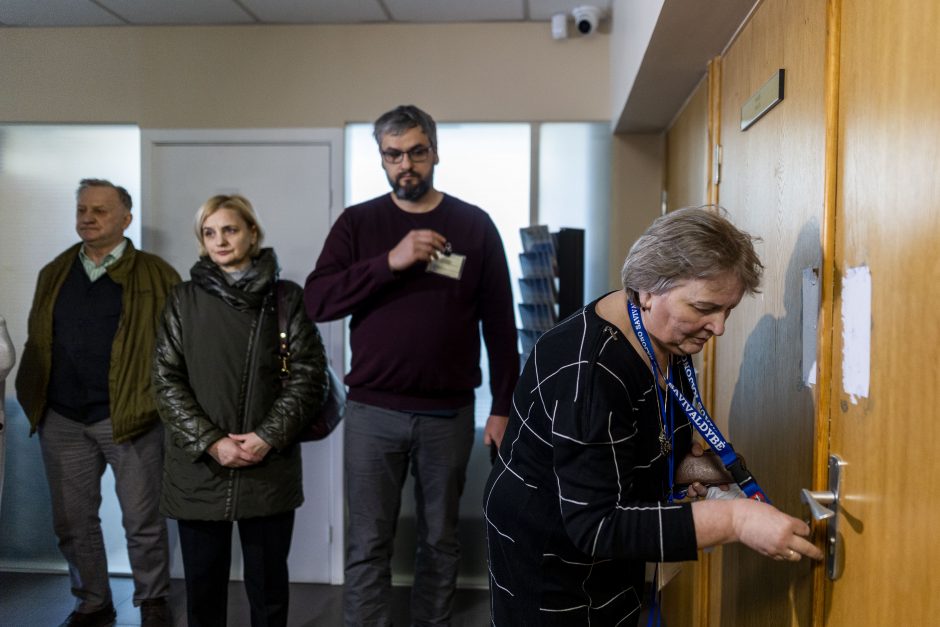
[420, 272]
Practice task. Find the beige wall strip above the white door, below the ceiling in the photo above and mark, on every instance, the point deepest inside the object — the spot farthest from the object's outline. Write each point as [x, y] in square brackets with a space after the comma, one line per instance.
[291, 76]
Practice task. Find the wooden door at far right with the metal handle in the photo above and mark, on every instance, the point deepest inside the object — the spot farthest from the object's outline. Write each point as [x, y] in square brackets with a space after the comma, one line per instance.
[888, 220]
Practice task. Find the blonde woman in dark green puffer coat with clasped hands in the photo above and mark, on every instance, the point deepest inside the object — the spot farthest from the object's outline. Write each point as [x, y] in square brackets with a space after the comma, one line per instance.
[232, 423]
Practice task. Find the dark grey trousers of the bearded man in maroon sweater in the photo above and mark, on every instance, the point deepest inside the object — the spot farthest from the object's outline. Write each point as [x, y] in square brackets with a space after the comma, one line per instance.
[379, 447]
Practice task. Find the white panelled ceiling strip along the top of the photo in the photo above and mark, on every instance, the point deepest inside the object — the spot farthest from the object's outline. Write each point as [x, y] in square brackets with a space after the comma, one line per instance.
[53, 13]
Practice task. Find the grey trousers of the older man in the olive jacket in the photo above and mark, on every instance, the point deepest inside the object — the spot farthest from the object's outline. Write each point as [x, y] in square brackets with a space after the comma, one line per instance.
[75, 456]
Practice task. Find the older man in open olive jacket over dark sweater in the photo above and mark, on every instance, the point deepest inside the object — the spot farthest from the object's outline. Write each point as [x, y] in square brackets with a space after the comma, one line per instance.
[84, 383]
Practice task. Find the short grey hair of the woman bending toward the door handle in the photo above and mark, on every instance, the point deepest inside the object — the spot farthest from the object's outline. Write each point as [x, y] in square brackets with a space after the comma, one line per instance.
[687, 244]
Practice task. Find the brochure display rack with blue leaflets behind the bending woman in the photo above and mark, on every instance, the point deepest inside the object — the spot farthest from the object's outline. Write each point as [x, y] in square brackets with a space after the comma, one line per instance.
[552, 283]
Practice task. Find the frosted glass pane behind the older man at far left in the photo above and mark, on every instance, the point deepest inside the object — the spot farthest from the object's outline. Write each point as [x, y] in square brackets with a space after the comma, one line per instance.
[40, 167]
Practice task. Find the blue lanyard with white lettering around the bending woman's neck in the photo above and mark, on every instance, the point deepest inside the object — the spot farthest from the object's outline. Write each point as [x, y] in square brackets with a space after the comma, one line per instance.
[697, 414]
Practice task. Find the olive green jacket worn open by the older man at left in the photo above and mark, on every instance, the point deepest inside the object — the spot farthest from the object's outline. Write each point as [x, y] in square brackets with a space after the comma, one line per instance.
[145, 280]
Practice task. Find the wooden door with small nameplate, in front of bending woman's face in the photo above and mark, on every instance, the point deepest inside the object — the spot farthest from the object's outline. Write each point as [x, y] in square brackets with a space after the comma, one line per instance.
[771, 183]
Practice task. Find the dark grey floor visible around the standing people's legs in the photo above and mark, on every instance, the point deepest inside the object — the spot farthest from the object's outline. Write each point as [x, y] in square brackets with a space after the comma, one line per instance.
[44, 600]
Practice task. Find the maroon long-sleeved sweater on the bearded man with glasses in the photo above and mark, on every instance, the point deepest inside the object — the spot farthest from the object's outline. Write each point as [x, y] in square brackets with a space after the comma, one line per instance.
[415, 335]
